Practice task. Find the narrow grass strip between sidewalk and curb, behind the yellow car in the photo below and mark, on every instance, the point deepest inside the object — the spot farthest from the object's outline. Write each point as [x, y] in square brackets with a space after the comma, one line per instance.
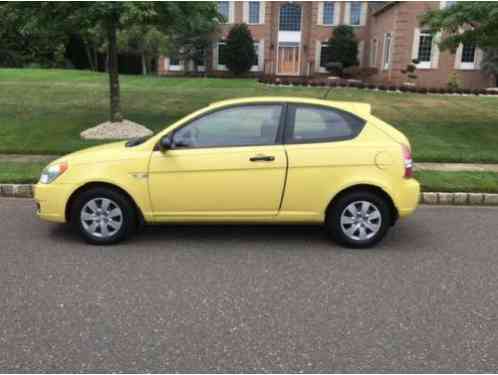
[484, 182]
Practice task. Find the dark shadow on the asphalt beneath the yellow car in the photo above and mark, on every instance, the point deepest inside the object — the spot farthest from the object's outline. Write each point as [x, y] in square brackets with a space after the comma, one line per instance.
[298, 236]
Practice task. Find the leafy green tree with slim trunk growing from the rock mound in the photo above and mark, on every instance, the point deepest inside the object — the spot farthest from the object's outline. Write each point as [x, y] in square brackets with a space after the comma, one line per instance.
[110, 17]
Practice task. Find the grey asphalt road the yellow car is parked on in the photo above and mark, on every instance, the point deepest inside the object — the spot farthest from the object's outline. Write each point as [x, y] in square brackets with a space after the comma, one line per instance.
[250, 298]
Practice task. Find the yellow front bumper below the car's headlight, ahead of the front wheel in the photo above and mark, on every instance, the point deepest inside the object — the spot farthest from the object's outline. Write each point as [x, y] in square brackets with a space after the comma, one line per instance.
[51, 200]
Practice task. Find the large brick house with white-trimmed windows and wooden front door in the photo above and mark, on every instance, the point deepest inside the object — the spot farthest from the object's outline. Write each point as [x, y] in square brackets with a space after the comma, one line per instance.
[291, 40]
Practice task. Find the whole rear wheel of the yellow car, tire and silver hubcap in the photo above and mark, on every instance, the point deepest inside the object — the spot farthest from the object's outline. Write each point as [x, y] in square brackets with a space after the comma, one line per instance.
[363, 230]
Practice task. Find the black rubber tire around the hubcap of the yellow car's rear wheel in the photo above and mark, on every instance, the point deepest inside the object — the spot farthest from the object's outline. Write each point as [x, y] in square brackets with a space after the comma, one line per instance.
[333, 219]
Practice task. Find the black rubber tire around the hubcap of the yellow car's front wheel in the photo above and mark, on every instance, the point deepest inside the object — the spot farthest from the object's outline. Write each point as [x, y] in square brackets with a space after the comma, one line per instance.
[129, 216]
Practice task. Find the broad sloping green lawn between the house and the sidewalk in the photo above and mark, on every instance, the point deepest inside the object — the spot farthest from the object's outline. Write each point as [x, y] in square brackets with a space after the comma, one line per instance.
[43, 111]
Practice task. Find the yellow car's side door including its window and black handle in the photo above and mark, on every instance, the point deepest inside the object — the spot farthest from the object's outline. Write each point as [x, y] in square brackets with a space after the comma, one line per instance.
[225, 164]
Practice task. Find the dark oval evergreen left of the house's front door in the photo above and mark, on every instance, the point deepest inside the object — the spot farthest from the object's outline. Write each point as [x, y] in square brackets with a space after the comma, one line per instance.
[240, 54]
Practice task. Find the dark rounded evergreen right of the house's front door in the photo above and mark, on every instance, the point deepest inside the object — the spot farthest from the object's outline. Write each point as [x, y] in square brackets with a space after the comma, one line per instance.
[342, 47]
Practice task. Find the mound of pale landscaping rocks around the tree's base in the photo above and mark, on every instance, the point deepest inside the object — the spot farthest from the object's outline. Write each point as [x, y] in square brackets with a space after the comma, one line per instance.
[116, 130]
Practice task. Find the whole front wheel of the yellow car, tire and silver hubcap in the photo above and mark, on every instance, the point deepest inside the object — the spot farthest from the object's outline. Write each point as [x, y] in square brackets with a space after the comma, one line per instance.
[110, 216]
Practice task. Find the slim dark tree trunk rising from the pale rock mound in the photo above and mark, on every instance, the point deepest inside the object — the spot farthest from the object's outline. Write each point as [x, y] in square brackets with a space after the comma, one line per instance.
[116, 115]
